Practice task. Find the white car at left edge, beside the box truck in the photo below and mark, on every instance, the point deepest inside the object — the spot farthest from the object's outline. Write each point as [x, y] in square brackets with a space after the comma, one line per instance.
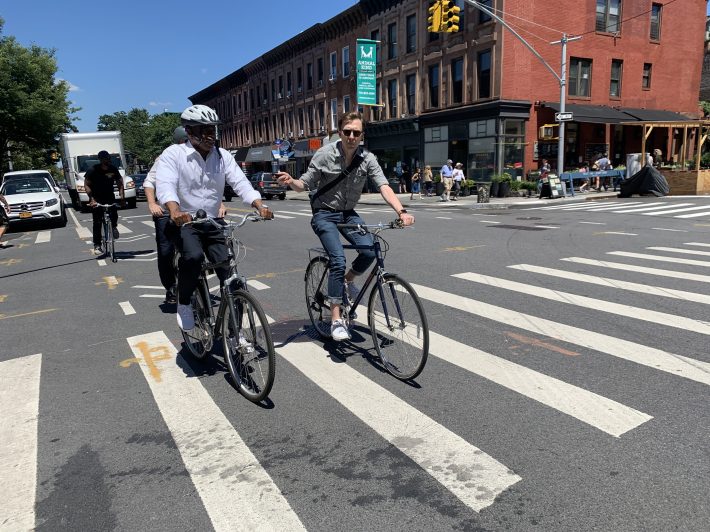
[34, 197]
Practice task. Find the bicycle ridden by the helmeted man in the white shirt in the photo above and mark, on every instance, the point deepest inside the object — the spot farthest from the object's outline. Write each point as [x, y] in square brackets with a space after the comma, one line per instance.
[239, 320]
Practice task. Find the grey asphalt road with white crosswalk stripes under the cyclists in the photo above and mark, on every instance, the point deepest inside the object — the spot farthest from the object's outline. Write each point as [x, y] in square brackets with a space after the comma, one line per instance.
[567, 387]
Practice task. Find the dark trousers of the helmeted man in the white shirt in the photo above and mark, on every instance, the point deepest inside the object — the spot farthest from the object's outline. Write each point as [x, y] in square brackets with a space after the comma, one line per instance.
[193, 239]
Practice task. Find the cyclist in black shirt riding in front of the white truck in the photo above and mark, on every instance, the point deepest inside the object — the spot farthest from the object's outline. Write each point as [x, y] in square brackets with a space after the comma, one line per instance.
[99, 183]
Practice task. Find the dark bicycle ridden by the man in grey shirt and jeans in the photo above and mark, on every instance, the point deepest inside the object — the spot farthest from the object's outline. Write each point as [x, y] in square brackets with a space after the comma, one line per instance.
[395, 315]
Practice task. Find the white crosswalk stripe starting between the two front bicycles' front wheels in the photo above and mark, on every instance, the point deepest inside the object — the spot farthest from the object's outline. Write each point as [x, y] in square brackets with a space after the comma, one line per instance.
[470, 474]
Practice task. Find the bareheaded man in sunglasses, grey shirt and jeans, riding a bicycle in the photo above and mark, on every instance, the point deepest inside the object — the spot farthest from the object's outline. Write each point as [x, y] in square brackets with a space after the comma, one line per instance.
[348, 166]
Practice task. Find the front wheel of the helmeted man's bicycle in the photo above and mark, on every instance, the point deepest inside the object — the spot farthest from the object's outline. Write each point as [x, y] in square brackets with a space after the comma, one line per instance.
[248, 347]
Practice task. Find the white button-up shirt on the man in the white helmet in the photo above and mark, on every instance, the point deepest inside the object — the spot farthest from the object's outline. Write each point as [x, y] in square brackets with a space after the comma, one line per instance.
[183, 176]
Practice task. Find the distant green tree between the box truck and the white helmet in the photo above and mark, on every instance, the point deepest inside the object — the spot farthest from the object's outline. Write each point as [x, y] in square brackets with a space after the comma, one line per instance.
[144, 136]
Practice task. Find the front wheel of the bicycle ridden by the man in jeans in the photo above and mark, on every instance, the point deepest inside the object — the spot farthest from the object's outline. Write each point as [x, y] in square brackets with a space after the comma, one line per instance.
[399, 327]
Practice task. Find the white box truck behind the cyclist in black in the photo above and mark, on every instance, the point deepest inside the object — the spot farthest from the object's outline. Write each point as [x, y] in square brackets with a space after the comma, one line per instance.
[80, 153]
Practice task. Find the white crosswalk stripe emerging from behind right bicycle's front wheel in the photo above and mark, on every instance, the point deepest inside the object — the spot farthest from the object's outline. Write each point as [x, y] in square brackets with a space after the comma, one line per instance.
[600, 412]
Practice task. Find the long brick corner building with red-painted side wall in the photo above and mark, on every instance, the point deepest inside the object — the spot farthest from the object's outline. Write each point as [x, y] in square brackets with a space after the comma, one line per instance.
[478, 96]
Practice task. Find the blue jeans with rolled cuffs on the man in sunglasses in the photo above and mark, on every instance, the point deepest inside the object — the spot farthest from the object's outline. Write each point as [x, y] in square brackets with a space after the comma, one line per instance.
[323, 224]
